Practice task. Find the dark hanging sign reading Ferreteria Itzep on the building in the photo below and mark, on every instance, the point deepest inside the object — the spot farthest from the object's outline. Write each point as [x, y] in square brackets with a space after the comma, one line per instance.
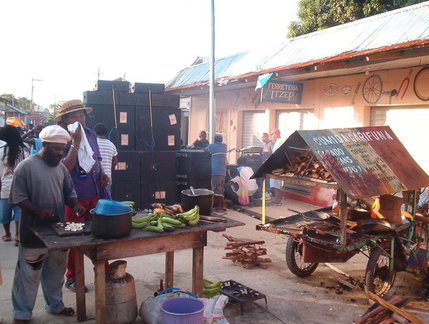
[282, 91]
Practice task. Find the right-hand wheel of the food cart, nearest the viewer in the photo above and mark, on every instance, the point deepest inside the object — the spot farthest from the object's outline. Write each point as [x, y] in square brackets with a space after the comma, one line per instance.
[378, 278]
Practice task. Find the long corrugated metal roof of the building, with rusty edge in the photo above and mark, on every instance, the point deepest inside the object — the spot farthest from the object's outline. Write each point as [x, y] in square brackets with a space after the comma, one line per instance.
[400, 28]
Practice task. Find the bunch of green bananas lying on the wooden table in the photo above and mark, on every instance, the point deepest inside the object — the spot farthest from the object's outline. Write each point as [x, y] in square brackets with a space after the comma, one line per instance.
[161, 222]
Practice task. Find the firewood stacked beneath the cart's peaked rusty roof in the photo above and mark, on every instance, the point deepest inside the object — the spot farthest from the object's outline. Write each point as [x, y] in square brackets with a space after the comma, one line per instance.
[305, 165]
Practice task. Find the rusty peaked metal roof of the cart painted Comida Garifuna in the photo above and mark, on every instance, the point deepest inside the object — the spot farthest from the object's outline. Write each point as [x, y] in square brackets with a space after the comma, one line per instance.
[364, 161]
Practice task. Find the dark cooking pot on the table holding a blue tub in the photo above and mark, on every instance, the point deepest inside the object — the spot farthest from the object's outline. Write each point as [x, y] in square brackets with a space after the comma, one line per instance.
[111, 226]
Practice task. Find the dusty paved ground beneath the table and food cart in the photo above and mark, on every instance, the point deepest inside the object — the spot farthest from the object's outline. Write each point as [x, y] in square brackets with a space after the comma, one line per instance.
[290, 299]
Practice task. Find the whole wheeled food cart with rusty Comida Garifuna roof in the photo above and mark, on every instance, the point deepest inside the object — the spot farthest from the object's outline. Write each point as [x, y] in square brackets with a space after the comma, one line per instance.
[359, 164]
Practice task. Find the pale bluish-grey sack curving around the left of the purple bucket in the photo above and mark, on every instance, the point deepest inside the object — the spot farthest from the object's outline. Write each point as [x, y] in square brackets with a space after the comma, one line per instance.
[150, 309]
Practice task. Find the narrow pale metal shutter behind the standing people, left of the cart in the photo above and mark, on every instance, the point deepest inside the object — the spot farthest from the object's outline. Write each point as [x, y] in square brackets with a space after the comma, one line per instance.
[254, 124]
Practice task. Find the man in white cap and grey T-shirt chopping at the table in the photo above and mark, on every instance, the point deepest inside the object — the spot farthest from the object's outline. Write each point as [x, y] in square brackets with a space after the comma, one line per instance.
[41, 187]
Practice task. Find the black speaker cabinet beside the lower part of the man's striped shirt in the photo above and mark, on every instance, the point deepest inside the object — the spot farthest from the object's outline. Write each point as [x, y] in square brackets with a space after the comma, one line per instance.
[128, 168]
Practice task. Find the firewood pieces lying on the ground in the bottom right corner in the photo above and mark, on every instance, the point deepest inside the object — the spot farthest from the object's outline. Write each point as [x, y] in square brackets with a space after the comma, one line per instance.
[388, 310]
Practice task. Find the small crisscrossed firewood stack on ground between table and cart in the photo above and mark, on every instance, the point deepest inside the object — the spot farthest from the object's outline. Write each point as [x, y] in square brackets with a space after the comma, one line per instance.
[246, 253]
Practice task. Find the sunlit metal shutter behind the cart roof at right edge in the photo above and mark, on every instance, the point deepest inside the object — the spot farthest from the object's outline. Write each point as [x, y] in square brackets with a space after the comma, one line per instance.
[410, 124]
